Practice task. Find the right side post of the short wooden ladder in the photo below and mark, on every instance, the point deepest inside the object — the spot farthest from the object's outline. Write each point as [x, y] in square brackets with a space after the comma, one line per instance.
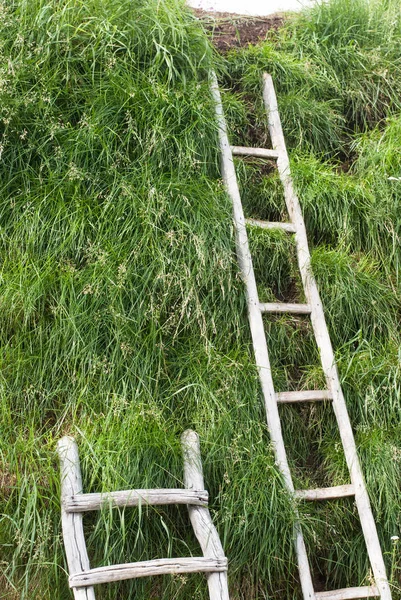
[200, 518]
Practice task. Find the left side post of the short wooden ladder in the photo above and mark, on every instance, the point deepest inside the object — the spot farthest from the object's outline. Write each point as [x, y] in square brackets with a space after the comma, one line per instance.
[73, 533]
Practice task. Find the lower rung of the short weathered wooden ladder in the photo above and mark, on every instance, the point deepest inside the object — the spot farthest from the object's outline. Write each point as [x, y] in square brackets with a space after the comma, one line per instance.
[147, 568]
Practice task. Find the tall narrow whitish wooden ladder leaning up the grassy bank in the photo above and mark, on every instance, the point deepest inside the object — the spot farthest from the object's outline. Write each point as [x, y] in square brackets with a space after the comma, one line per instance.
[313, 307]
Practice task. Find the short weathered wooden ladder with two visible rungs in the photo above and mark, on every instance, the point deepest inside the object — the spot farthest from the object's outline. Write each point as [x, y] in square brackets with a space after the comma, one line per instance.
[73, 503]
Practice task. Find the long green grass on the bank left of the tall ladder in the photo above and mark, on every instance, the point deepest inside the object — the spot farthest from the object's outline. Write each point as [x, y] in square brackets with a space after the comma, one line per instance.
[122, 317]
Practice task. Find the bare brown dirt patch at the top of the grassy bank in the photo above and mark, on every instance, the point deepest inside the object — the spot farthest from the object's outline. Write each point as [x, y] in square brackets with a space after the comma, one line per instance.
[233, 31]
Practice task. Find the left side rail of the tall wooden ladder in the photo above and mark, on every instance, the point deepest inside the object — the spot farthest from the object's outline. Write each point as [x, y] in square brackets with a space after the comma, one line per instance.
[257, 330]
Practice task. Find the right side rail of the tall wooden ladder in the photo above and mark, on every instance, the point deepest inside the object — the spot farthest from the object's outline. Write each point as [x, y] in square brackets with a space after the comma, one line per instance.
[324, 343]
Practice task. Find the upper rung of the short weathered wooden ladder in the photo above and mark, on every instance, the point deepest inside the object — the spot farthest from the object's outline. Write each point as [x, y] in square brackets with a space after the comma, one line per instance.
[88, 502]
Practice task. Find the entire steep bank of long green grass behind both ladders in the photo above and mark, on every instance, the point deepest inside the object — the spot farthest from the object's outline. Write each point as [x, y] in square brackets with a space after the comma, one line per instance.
[123, 317]
